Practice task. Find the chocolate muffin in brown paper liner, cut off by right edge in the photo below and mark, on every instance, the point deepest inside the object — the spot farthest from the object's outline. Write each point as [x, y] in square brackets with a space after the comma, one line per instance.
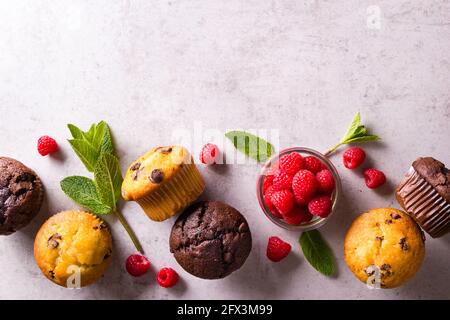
[425, 195]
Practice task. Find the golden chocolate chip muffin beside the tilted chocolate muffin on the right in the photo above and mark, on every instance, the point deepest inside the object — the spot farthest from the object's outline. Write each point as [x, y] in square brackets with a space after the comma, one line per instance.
[384, 246]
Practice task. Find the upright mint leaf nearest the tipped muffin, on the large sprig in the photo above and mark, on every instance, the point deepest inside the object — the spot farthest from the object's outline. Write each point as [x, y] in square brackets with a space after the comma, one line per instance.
[108, 178]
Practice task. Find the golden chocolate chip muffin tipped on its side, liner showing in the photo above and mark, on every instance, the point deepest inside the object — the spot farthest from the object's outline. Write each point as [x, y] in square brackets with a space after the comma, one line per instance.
[163, 182]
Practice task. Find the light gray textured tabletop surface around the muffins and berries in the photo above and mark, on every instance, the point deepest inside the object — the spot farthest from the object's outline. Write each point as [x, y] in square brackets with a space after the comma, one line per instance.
[149, 67]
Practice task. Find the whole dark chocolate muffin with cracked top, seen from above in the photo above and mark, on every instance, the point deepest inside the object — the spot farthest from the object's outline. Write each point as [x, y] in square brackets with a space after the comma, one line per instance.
[211, 240]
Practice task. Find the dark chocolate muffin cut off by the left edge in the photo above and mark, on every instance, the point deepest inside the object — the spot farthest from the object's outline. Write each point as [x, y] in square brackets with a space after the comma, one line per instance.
[21, 195]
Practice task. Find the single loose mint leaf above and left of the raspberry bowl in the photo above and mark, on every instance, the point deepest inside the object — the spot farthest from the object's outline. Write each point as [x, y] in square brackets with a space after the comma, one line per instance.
[251, 145]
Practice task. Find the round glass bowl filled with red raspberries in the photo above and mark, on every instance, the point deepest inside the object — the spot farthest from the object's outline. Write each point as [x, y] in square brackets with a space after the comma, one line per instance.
[298, 189]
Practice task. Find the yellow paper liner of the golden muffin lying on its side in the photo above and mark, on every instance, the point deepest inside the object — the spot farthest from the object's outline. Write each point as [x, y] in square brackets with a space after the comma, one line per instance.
[174, 195]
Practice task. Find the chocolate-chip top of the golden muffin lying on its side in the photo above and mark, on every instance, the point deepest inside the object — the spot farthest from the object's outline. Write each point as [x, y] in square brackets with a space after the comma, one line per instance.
[152, 170]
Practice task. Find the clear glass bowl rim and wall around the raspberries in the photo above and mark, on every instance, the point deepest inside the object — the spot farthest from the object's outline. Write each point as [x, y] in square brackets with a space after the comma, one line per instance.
[316, 222]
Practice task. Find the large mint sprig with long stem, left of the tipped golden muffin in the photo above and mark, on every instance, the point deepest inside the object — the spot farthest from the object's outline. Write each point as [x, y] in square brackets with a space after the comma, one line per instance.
[101, 194]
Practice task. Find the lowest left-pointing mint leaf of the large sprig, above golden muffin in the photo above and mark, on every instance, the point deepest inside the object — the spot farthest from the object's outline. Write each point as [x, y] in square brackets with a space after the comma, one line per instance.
[82, 190]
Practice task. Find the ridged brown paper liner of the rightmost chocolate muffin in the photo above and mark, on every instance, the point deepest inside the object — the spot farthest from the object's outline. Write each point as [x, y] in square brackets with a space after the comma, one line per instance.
[424, 204]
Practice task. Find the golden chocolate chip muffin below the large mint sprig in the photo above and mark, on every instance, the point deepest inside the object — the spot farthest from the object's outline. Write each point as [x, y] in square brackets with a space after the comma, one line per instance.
[73, 248]
